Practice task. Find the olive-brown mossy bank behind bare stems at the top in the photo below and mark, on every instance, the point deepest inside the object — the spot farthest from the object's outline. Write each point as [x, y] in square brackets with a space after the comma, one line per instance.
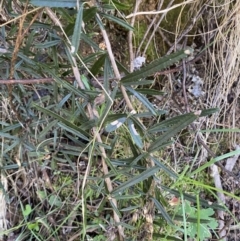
[158, 47]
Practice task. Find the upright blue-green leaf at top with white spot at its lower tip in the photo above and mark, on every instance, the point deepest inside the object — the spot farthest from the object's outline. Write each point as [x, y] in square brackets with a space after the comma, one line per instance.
[77, 31]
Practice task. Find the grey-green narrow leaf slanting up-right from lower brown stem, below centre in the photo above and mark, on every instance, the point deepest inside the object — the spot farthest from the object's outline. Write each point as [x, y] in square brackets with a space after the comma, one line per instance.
[137, 179]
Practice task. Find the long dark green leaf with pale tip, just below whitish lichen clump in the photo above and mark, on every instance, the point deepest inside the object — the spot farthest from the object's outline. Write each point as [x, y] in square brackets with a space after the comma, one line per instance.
[156, 66]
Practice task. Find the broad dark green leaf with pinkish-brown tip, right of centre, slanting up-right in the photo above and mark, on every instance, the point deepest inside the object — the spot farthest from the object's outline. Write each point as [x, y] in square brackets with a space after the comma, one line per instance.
[181, 123]
